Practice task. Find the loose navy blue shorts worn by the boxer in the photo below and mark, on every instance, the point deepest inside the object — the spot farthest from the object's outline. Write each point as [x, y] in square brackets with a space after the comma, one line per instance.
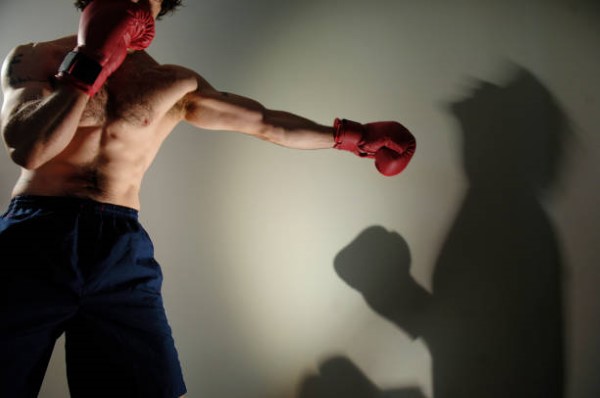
[85, 269]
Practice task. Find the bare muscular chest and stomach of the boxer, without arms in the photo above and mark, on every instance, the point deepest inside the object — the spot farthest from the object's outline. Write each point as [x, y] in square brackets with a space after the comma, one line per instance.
[120, 130]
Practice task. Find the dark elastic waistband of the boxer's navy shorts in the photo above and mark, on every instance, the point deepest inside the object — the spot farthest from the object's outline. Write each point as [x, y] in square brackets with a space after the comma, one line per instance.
[67, 203]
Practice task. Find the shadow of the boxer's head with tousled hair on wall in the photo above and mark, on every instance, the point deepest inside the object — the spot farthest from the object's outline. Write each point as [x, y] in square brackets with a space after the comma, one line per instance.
[513, 133]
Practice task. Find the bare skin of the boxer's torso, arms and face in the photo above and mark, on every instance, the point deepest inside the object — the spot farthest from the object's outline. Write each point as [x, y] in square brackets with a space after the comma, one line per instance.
[68, 144]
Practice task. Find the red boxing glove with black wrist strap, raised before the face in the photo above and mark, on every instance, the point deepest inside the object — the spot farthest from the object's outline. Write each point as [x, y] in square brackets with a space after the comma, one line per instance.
[107, 29]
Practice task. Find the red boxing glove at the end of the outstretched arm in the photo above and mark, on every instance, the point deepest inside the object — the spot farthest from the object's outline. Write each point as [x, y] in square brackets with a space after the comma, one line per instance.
[389, 143]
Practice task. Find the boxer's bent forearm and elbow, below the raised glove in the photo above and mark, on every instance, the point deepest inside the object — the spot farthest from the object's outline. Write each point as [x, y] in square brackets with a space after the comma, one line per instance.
[39, 130]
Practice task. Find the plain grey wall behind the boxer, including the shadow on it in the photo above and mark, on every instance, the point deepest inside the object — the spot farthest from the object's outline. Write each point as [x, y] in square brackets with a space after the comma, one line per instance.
[305, 273]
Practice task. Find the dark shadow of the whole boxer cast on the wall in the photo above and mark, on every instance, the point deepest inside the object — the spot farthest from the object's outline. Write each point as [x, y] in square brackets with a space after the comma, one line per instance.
[494, 321]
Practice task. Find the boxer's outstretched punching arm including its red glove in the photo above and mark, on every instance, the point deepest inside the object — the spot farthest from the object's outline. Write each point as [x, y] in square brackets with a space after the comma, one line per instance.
[389, 143]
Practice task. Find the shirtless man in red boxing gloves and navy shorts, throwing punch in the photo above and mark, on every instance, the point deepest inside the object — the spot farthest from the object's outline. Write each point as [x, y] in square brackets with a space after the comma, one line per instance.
[84, 116]
